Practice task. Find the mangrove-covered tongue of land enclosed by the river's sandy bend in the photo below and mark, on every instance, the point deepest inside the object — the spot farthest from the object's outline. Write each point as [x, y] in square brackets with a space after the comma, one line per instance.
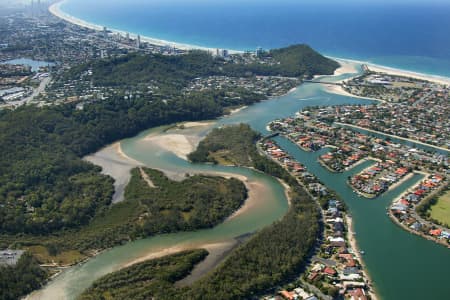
[194, 203]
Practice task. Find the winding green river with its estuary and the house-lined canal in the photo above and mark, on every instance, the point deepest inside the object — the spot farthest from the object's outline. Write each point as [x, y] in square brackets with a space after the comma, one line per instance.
[402, 265]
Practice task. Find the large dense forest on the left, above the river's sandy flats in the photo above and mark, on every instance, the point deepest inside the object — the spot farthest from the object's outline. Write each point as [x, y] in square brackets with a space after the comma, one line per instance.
[44, 185]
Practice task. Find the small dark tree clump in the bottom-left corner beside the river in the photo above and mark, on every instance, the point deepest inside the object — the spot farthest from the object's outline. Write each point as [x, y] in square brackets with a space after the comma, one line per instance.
[19, 280]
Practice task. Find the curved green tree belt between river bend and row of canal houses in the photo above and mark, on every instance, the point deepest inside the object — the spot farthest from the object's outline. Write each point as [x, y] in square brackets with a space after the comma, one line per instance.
[271, 257]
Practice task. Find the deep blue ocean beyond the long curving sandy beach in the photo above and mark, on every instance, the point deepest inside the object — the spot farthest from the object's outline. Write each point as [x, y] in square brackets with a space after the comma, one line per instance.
[409, 35]
